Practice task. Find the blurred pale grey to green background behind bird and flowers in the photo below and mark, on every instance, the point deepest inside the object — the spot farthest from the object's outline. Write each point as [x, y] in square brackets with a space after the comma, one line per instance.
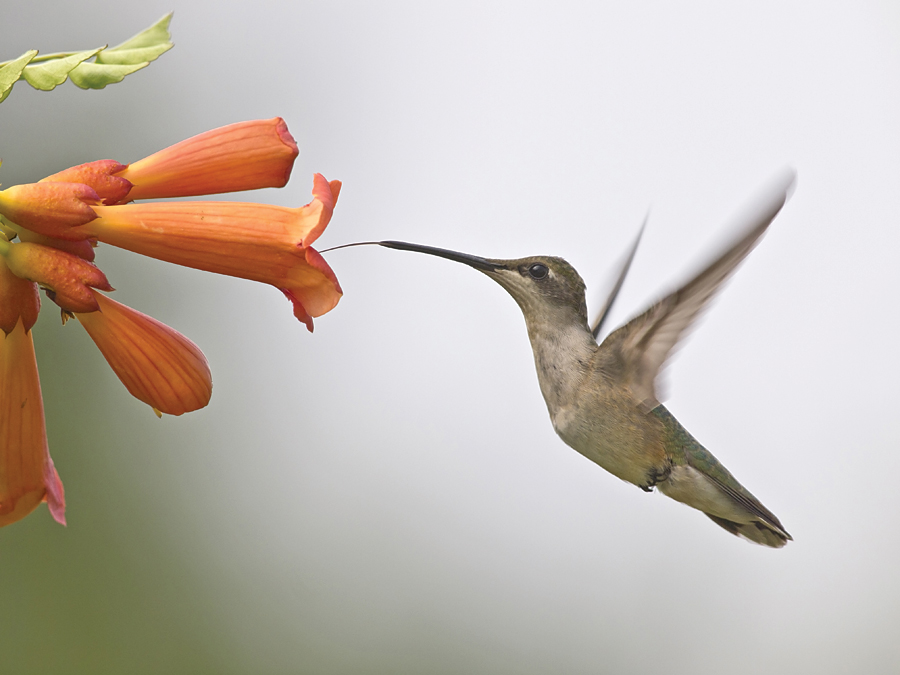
[387, 495]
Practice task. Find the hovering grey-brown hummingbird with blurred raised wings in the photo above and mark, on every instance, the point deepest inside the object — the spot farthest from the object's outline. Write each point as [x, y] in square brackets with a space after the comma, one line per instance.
[604, 399]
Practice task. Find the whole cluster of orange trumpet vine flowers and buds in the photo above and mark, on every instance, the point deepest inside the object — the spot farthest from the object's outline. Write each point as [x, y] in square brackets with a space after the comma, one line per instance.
[48, 232]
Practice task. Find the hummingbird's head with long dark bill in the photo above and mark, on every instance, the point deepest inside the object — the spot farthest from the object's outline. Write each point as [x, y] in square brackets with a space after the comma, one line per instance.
[547, 289]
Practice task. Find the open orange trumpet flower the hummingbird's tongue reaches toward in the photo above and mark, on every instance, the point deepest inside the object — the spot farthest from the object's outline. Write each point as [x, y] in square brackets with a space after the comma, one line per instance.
[252, 241]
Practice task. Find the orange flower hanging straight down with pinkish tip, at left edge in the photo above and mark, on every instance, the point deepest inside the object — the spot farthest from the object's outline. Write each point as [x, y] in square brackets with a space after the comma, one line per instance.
[27, 475]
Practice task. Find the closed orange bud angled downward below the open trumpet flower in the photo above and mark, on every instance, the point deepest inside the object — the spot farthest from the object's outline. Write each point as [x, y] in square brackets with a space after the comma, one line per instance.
[157, 364]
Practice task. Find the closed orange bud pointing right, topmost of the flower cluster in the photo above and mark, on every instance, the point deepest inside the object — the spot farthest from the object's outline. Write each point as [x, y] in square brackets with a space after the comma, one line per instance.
[242, 156]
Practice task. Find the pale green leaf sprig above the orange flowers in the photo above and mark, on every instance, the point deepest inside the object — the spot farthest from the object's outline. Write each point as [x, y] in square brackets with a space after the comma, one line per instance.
[48, 71]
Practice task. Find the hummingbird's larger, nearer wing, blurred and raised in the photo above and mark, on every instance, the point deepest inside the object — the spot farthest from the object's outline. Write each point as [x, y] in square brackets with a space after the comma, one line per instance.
[647, 341]
